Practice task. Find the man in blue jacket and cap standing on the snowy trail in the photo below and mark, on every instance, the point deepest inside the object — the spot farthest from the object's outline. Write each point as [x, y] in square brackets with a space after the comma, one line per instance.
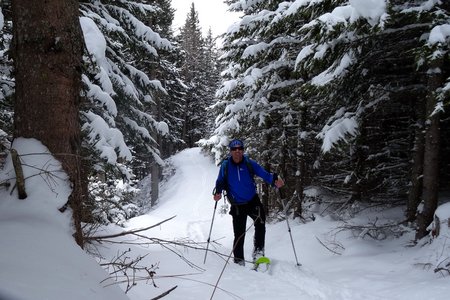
[236, 178]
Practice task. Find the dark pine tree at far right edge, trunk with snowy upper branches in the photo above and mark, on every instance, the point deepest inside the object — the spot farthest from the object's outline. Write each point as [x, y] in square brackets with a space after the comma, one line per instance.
[434, 57]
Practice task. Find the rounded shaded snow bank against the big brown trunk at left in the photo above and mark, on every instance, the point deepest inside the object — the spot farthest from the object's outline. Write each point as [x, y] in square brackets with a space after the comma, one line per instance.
[39, 258]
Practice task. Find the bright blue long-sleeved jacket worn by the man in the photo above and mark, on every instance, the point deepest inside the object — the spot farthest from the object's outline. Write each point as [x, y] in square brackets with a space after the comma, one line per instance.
[239, 184]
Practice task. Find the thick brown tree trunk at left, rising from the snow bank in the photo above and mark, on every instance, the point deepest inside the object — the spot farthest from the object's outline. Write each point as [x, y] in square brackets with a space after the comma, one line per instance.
[47, 49]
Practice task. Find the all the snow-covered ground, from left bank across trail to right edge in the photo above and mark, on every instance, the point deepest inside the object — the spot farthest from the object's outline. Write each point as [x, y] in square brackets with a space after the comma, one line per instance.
[39, 260]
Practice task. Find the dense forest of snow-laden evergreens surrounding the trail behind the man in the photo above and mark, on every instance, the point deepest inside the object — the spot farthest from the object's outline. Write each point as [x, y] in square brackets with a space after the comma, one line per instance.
[351, 105]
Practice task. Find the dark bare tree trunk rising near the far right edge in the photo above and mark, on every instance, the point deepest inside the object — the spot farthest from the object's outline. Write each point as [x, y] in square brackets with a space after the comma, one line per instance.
[431, 155]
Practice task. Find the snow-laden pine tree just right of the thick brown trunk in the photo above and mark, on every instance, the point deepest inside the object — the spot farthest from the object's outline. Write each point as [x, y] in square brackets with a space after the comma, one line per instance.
[130, 83]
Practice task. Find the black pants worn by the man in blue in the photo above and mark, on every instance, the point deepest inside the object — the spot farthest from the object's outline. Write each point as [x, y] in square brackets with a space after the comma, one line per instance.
[255, 210]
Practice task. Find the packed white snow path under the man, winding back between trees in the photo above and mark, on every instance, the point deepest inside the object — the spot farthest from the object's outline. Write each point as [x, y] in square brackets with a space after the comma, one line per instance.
[323, 275]
